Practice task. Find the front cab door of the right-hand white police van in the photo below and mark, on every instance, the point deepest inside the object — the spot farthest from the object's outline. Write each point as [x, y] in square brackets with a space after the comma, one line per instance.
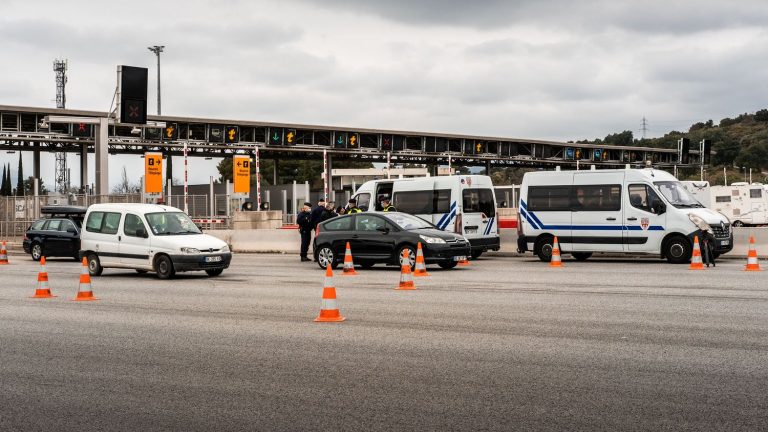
[644, 228]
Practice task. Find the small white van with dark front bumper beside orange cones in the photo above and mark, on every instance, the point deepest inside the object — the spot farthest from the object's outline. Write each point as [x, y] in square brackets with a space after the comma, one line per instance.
[149, 237]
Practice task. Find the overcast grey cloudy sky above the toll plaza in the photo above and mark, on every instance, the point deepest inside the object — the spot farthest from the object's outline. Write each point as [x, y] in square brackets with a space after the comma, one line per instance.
[557, 69]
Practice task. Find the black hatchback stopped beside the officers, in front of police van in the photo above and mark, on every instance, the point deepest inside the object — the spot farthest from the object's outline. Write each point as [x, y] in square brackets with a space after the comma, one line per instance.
[382, 237]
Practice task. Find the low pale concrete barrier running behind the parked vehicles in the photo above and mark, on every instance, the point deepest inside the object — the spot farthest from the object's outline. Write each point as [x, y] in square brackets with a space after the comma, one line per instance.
[288, 241]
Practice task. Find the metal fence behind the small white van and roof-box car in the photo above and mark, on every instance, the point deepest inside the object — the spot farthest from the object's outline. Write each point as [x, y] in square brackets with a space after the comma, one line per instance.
[17, 213]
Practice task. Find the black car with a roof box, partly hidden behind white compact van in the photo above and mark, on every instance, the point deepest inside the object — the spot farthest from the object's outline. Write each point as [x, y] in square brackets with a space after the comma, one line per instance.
[56, 235]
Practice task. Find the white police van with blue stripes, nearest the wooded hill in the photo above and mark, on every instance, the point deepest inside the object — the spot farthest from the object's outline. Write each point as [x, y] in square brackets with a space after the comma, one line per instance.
[638, 211]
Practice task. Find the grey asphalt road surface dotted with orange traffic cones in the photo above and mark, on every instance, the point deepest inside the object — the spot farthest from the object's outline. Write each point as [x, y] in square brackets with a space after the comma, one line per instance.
[504, 344]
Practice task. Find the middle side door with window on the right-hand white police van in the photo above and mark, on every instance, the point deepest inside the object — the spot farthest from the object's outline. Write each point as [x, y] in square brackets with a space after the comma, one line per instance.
[597, 215]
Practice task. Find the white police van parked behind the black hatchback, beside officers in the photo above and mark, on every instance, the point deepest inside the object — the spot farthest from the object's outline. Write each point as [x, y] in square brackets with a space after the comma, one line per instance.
[464, 204]
